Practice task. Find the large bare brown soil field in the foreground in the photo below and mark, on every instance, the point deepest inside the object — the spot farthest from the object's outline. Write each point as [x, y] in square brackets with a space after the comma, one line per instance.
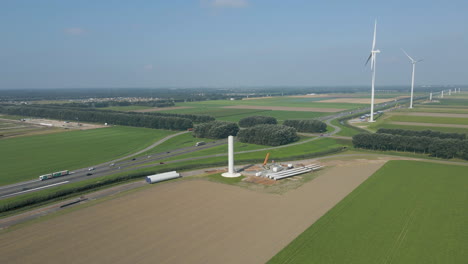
[194, 221]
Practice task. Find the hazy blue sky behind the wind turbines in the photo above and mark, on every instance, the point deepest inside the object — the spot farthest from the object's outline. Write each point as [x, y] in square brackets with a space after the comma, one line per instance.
[229, 43]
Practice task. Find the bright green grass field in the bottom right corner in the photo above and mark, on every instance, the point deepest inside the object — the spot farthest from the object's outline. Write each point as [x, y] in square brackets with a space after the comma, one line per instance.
[407, 212]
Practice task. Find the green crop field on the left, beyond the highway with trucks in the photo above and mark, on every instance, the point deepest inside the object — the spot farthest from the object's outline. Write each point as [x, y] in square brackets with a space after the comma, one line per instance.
[25, 158]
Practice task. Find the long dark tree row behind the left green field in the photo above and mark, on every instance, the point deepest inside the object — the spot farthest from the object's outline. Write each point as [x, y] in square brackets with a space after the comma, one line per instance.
[116, 118]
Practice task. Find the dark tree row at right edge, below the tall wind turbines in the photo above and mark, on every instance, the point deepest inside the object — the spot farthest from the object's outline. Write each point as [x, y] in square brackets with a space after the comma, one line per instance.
[437, 147]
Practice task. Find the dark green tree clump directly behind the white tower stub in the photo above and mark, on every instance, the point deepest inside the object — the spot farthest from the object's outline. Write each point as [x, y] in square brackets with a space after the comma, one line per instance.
[215, 130]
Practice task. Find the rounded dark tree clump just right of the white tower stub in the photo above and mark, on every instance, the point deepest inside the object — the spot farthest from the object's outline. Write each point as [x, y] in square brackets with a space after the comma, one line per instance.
[270, 135]
